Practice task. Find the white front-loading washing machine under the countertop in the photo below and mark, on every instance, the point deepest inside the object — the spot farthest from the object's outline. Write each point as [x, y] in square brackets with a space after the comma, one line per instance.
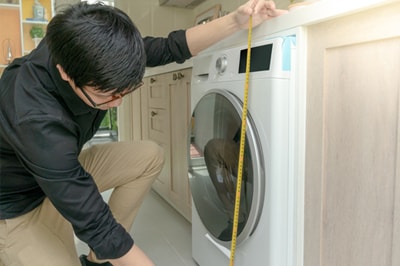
[269, 230]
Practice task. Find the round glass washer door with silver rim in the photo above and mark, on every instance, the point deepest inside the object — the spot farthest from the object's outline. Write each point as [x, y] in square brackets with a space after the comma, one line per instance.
[213, 167]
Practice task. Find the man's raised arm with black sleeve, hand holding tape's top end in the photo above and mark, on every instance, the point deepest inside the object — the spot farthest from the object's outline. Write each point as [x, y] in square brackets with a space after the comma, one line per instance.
[181, 45]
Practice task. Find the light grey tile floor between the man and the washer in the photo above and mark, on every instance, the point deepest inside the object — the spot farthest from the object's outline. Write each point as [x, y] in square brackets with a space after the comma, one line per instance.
[163, 234]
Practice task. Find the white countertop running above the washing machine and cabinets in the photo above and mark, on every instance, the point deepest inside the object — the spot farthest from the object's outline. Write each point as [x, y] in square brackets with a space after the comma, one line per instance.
[316, 12]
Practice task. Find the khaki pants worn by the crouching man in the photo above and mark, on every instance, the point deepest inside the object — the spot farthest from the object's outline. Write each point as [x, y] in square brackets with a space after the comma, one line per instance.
[43, 237]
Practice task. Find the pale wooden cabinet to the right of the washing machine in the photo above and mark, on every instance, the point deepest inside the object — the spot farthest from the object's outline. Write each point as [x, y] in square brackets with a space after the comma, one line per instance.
[352, 177]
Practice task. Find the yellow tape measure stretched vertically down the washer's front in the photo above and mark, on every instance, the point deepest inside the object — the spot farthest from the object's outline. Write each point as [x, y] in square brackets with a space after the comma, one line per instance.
[242, 144]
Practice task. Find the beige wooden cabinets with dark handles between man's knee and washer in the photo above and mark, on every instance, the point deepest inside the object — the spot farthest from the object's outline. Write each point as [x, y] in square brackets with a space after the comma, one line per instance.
[165, 116]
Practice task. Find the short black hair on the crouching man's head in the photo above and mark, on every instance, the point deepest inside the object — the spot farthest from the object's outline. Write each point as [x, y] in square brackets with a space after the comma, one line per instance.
[97, 45]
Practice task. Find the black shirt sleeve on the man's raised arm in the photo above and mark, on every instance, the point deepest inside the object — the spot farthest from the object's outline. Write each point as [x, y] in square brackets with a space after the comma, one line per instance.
[161, 51]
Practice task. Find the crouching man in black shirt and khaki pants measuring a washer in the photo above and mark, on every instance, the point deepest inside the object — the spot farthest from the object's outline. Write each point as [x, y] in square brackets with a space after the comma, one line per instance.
[51, 102]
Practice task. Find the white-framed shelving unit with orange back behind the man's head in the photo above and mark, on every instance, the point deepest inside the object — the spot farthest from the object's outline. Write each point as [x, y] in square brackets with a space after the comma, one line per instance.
[19, 18]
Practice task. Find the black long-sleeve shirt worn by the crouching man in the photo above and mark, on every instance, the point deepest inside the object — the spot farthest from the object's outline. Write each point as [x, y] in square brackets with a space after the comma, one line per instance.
[43, 127]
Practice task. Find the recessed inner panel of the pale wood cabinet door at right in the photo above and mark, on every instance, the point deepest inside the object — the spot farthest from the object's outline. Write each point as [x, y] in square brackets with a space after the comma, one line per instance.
[359, 151]
